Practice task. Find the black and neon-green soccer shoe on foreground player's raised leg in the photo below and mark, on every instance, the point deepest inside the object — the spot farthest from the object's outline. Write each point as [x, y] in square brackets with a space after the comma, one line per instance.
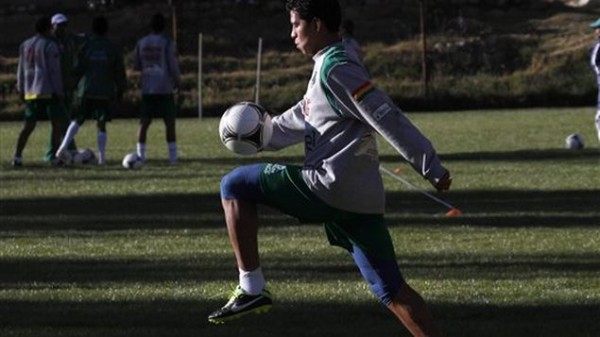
[240, 304]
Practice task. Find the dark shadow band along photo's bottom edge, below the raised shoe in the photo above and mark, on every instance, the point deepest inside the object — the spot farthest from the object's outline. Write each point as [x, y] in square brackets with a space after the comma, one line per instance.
[302, 318]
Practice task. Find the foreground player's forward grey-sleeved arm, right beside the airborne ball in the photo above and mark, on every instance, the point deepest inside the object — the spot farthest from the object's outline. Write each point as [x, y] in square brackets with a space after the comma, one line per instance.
[288, 128]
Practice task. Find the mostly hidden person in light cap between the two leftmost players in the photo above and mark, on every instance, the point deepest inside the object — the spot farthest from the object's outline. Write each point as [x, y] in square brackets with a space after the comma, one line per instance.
[67, 45]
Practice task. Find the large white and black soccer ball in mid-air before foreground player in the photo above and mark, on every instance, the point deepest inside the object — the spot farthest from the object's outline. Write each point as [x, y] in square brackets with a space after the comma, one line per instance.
[245, 128]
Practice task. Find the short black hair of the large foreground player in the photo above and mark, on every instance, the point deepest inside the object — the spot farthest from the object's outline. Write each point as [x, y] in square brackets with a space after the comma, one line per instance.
[328, 11]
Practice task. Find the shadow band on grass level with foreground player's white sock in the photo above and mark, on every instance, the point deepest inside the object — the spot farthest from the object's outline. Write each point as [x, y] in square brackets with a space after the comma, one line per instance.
[28, 273]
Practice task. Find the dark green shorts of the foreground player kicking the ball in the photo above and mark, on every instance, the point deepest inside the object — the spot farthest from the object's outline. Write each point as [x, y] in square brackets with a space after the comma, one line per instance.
[285, 189]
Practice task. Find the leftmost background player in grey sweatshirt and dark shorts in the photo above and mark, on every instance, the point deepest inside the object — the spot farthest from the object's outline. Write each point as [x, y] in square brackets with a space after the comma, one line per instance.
[40, 84]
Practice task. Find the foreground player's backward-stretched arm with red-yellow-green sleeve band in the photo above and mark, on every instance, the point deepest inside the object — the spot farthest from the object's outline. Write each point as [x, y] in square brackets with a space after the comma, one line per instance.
[360, 98]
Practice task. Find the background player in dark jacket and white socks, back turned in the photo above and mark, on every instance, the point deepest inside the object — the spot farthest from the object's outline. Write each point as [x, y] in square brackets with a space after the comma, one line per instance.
[100, 73]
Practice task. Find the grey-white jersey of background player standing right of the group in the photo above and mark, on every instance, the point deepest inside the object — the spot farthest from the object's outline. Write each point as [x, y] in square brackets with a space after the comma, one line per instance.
[155, 56]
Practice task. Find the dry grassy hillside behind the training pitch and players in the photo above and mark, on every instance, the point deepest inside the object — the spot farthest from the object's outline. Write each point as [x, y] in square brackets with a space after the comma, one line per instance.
[480, 53]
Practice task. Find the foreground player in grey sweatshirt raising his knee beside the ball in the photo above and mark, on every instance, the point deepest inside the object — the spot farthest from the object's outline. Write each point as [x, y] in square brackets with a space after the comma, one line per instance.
[337, 120]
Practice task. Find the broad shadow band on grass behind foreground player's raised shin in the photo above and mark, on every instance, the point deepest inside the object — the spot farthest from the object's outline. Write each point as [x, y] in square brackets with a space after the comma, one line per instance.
[480, 208]
